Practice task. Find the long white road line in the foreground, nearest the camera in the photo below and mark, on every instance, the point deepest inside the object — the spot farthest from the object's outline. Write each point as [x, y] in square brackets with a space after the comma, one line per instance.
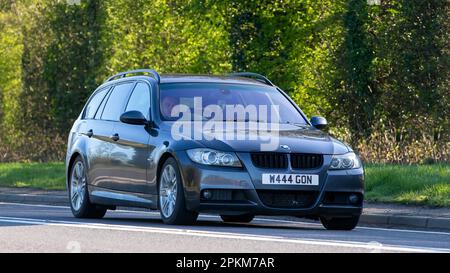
[222, 235]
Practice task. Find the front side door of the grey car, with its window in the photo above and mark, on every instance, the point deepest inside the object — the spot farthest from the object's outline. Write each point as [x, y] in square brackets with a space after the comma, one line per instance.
[130, 152]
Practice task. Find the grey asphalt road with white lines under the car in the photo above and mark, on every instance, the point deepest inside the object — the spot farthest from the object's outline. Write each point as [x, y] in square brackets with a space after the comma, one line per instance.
[41, 228]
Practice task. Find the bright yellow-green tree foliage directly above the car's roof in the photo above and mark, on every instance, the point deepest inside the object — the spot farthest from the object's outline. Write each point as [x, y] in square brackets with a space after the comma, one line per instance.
[172, 36]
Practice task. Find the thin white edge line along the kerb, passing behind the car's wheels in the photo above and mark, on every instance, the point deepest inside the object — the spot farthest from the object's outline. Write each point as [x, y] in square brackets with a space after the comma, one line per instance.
[257, 219]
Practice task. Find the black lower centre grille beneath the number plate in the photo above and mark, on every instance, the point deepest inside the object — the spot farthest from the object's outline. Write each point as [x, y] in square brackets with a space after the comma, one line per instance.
[288, 199]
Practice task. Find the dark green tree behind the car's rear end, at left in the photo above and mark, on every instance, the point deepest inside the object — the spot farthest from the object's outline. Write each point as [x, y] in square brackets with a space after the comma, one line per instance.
[74, 64]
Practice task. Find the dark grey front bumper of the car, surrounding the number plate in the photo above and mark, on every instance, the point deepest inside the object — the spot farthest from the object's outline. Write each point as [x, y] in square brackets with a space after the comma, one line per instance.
[330, 198]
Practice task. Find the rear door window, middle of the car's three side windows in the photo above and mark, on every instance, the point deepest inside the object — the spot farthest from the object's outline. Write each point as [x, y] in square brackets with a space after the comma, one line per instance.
[116, 102]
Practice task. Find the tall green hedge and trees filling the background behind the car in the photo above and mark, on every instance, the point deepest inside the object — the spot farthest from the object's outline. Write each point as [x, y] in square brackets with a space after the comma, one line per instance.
[379, 73]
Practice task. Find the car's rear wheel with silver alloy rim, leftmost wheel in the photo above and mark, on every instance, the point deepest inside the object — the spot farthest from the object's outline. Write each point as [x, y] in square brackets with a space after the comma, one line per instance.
[78, 193]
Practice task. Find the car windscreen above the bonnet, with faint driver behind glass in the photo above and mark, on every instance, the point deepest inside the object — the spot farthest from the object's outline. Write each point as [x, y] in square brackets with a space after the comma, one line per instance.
[217, 100]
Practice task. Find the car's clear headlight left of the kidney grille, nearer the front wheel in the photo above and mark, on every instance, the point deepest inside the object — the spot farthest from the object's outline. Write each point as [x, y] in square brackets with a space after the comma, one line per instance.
[214, 158]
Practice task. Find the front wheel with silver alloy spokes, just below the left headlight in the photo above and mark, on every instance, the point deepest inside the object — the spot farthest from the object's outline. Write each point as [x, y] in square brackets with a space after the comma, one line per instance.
[172, 203]
